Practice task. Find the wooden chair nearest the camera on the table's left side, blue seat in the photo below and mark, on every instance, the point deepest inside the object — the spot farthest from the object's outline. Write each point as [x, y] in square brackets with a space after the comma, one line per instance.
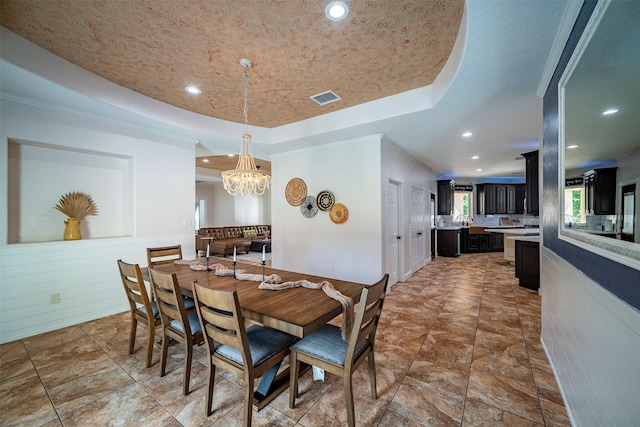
[250, 352]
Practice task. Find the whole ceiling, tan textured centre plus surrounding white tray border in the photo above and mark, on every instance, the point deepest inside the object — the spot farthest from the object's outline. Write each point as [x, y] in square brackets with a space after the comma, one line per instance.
[488, 85]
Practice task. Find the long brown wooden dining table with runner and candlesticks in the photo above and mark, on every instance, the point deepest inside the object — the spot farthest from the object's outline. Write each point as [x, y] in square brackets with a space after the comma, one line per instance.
[297, 311]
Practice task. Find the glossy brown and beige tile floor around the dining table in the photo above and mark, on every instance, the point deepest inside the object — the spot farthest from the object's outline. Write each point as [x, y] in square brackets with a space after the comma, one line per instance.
[458, 345]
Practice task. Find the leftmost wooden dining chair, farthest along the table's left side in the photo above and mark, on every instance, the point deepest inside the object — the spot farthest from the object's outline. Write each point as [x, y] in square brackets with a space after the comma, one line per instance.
[143, 307]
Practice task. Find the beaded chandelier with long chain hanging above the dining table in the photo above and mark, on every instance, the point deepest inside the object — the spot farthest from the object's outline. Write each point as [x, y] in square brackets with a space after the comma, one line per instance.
[246, 178]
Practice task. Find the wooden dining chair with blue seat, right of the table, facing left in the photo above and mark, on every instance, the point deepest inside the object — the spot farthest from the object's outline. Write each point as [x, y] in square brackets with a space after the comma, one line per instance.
[326, 349]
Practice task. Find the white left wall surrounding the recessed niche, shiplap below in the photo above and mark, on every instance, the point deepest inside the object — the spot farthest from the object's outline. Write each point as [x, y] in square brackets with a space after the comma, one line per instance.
[84, 272]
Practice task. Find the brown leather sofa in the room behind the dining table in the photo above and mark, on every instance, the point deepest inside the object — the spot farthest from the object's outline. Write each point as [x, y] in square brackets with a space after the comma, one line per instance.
[224, 239]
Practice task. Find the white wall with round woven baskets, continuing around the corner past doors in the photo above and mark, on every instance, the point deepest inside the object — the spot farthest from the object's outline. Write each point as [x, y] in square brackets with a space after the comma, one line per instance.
[357, 172]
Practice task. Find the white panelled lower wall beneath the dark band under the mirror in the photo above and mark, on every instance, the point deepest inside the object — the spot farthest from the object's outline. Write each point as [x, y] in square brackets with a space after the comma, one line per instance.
[592, 339]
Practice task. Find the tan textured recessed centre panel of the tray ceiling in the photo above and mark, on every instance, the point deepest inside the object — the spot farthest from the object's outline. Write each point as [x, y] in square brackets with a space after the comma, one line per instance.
[156, 48]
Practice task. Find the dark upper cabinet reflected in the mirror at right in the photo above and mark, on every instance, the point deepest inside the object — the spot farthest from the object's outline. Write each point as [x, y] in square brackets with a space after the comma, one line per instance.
[600, 191]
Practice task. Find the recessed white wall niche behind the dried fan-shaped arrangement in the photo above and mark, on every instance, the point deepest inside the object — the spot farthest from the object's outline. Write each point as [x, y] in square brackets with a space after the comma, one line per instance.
[39, 173]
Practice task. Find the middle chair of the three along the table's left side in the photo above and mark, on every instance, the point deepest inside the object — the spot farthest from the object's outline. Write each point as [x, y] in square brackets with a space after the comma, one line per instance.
[177, 323]
